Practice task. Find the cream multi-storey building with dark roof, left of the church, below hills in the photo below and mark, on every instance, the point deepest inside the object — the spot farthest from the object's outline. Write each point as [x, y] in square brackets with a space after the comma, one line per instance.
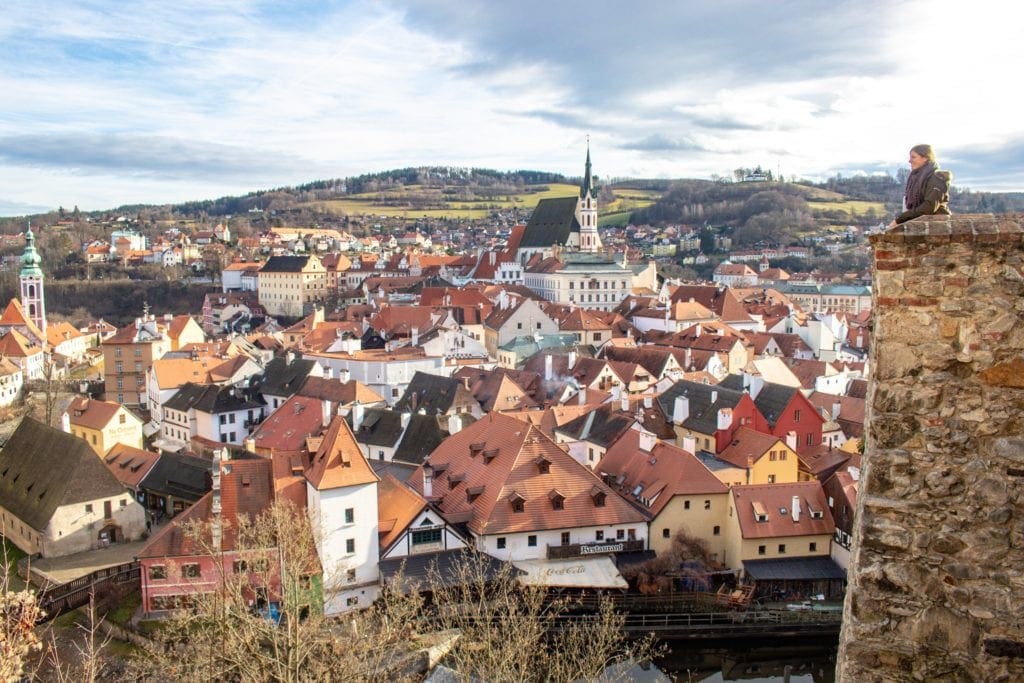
[289, 286]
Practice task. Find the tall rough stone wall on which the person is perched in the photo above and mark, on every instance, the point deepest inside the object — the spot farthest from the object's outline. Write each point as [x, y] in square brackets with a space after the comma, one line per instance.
[937, 577]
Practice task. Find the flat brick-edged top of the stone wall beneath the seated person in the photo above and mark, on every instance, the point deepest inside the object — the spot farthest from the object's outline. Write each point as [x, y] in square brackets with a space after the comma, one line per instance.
[971, 228]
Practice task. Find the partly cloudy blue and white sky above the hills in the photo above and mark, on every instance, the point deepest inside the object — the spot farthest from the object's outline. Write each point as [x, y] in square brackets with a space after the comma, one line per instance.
[107, 104]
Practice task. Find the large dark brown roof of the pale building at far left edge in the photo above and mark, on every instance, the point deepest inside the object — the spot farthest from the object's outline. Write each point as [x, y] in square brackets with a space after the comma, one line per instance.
[42, 468]
